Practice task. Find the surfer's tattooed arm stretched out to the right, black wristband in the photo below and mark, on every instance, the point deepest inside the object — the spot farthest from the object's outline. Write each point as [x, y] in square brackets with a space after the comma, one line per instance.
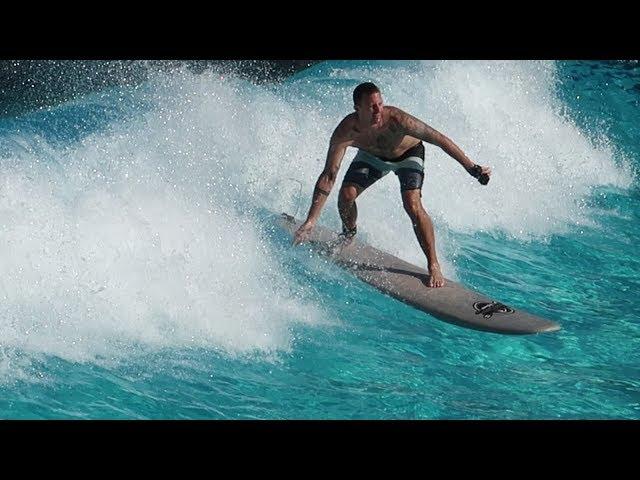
[418, 129]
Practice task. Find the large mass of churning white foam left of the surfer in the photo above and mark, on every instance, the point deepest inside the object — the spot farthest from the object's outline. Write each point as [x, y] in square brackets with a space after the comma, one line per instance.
[141, 237]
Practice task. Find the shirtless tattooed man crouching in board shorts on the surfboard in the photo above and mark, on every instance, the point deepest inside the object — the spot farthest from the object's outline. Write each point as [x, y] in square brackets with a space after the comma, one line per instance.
[388, 139]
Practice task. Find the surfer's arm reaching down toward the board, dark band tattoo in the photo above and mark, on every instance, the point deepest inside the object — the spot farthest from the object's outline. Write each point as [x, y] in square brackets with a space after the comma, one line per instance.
[337, 148]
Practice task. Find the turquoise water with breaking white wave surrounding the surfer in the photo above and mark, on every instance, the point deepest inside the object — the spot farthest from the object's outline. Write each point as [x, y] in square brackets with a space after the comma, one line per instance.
[144, 275]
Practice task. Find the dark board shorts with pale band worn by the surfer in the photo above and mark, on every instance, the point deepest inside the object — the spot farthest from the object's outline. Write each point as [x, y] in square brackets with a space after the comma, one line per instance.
[366, 169]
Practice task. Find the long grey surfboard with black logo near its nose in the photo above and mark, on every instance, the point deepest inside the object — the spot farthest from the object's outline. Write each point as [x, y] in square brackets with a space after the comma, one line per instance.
[453, 303]
